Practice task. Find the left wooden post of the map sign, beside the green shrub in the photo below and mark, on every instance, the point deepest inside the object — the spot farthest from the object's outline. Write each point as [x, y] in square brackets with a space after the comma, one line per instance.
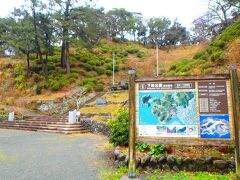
[132, 125]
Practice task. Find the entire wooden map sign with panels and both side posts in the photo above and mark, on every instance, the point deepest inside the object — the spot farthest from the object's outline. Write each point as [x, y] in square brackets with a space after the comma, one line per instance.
[186, 110]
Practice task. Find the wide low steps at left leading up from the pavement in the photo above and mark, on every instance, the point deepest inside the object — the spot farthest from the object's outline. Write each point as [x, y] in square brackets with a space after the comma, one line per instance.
[45, 124]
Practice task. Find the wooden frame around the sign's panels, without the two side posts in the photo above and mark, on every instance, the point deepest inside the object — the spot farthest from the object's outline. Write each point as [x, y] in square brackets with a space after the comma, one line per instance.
[195, 80]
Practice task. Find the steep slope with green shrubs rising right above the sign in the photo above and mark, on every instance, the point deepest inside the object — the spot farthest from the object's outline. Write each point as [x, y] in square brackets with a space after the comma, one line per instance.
[224, 50]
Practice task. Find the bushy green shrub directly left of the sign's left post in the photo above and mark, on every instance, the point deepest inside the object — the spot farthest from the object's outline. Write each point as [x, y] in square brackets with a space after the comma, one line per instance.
[119, 128]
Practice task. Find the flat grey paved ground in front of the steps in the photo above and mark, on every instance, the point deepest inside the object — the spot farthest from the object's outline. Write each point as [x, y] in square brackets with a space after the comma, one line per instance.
[31, 155]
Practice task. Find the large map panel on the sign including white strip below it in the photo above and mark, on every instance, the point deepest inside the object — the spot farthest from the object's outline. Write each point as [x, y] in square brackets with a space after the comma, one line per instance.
[168, 114]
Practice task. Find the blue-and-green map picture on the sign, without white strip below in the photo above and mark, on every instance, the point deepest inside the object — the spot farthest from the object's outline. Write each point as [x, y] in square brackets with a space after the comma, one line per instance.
[170, 108]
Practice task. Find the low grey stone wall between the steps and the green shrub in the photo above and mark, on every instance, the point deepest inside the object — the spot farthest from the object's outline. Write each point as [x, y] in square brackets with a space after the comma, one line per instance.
[95, 126]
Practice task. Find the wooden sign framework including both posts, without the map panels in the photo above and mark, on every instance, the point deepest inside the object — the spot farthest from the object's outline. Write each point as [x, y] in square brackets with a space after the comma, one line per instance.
[157, 84]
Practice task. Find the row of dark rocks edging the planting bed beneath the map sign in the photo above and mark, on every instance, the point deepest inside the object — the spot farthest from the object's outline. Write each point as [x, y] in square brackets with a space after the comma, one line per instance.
[174, 163]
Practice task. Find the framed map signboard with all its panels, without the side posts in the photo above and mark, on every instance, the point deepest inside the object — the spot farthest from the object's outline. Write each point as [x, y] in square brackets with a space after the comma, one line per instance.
[196, 108]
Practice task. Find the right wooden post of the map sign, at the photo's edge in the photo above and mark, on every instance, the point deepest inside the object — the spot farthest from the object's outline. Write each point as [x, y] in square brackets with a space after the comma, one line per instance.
[235, 100]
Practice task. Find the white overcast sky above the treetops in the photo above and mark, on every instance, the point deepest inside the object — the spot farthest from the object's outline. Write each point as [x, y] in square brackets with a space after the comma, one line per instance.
[184, 10]
